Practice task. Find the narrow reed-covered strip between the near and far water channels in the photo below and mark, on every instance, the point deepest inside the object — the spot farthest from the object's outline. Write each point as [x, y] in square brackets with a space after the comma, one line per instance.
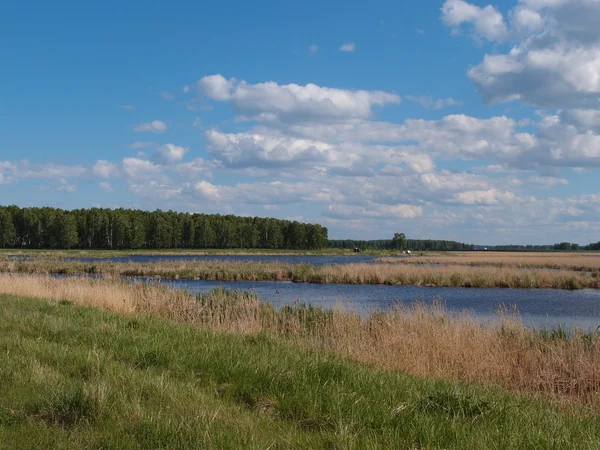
[393, 274]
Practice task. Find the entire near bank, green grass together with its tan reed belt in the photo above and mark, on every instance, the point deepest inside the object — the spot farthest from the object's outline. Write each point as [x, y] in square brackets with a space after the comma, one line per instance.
[103, 363]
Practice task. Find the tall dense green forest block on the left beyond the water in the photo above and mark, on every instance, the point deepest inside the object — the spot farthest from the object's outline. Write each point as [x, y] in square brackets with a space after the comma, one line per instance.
[100, 228]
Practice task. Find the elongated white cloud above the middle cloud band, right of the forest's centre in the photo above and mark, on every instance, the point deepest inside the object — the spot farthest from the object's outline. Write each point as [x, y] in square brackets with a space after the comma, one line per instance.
[294, 102]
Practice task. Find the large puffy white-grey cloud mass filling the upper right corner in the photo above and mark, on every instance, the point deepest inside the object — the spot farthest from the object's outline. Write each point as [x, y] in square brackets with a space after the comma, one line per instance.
[555, 61]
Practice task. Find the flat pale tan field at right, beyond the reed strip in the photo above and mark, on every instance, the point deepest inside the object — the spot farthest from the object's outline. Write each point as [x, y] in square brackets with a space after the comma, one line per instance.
[573, 261]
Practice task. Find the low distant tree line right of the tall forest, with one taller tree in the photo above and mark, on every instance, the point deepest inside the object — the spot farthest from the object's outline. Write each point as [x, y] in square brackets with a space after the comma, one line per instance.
[402, 243]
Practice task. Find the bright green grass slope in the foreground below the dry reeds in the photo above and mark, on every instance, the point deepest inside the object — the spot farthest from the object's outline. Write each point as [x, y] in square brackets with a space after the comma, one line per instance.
[79, 378]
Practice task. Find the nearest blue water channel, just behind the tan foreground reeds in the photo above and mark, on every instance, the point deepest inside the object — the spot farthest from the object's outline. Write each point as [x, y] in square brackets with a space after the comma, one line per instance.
[538, 307]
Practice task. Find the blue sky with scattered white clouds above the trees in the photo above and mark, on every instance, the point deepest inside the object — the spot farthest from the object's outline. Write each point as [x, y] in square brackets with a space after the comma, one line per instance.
[447, 119]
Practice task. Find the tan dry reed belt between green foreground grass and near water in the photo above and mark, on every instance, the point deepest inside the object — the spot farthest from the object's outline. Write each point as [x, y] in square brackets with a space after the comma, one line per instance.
[420, 340]
